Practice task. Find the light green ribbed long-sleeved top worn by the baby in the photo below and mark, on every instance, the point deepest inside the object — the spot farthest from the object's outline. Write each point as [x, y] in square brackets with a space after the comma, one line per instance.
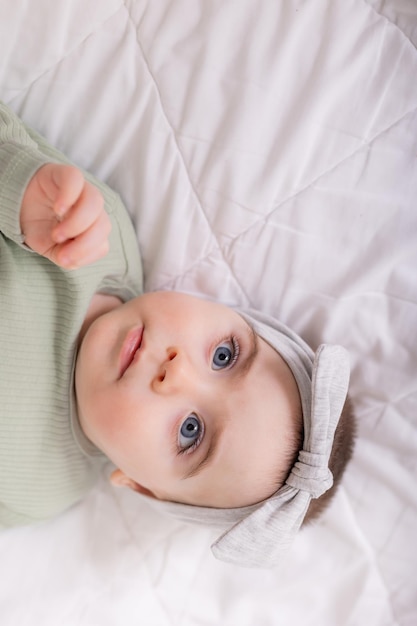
[46, 463]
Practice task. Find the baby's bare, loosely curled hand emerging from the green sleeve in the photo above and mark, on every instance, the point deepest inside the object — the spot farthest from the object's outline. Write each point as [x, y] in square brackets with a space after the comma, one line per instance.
[62, 217]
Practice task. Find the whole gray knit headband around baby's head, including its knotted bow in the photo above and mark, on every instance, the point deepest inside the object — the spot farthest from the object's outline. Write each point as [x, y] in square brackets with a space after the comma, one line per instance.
[258, 535]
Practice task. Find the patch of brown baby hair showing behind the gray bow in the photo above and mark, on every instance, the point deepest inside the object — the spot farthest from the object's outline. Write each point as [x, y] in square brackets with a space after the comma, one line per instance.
[342, 450]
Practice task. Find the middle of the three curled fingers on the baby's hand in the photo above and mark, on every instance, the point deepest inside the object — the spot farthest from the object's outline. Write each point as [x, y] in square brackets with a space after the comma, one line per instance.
[81, 216]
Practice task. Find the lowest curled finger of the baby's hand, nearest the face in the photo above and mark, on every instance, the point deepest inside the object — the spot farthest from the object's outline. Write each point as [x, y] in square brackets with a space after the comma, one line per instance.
[87, 248]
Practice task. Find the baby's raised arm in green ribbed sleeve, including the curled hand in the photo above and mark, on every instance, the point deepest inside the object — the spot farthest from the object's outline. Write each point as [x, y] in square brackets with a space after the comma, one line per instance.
[45, 202]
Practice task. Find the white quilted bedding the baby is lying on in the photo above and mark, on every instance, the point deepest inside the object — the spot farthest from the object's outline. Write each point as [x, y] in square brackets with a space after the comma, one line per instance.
[267, 151]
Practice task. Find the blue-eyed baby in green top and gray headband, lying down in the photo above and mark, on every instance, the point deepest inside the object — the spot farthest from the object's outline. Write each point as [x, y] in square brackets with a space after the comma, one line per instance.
[220, 416]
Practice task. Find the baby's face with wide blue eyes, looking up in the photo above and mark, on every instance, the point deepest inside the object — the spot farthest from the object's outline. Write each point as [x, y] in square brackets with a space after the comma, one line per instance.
[186, 400]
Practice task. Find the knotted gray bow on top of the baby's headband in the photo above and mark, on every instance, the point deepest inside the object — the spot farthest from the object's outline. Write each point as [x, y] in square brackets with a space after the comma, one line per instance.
[261, 538]
